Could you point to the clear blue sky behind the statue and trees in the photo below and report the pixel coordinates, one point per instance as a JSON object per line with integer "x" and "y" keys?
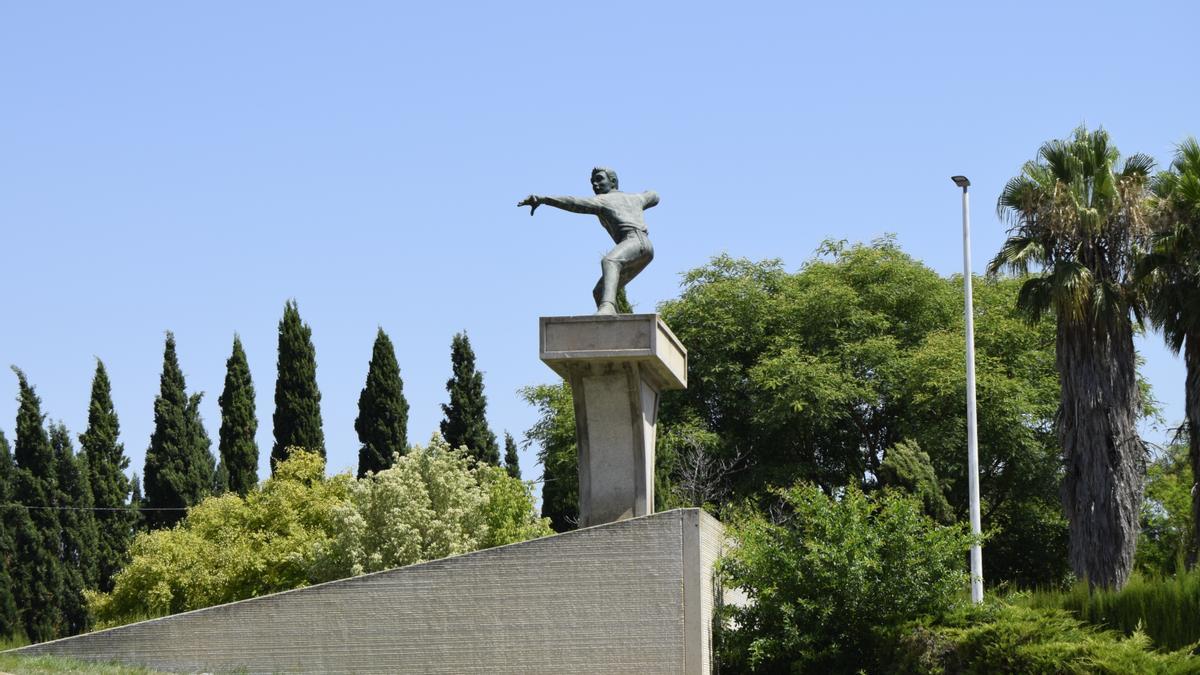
{"x": 191, "y": 166}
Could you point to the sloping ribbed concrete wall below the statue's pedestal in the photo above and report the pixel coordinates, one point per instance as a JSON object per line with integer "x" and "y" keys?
{"x": 634, "y": 596}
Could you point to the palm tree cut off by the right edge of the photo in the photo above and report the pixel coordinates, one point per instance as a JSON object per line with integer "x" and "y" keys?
{"x": 1172, "y": 277}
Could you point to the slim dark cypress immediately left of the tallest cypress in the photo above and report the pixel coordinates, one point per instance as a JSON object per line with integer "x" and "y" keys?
{"x": 239, "y": 451}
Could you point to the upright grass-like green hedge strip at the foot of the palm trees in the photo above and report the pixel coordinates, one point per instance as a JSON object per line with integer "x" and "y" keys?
{"x": 1167, "y": 610}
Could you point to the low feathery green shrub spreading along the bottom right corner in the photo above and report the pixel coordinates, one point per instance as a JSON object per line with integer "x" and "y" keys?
{"x": 1001, "y": 638}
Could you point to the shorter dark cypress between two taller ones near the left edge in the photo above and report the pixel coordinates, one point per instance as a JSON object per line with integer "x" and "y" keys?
{"x": 77, "y": 548}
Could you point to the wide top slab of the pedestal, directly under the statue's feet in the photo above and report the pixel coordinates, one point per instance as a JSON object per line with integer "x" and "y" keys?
{"x": 641, "y": 338}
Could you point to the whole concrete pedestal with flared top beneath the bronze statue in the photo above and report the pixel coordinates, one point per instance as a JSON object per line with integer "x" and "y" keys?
{"x": 617, "y": 367}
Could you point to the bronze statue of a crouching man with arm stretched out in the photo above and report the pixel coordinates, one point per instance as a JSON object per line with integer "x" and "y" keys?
{"x": 621, "y": 214}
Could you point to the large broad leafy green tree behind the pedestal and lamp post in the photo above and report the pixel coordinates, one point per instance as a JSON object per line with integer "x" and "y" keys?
{"x": 815, "y": 375}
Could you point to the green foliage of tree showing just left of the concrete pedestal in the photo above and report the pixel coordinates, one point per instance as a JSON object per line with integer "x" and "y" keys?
{"x": 555, "y": 435}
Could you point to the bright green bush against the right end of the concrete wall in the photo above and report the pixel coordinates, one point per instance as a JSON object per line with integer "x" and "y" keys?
{"x": 829, "y": 578}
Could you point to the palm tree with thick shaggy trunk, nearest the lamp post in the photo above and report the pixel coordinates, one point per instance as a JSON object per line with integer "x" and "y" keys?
{"x": 1077, "y": 222}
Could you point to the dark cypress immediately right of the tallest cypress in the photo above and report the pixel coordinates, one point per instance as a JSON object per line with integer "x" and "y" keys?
{"x": 383, "y": 413}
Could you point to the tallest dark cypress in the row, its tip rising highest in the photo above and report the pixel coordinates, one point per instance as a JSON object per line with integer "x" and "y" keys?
{"x": 297, "y": 417}
